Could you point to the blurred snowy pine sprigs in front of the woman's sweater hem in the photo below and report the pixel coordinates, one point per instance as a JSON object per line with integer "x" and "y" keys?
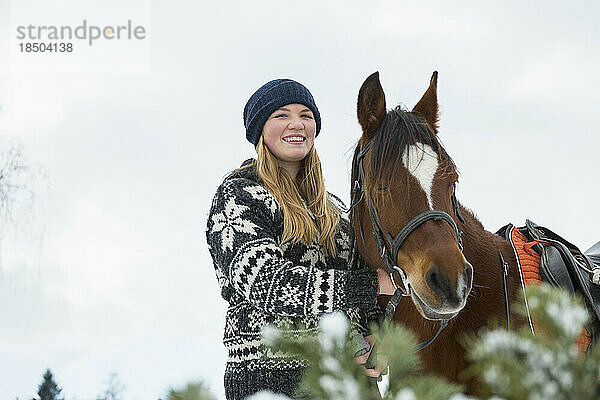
{"x": 333, "y": 375}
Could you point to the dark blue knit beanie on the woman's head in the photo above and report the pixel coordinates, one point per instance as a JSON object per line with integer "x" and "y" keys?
{"x": 270, "y": 97}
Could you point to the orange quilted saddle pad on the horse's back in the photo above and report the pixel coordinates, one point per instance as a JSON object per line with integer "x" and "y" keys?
{"x": 529, "y": 261}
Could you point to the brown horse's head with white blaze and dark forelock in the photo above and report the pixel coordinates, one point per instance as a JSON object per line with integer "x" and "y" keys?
{"x": 405, "y": 173}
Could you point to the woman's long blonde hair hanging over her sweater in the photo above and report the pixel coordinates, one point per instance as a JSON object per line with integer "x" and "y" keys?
{"x": 297, "y": 223}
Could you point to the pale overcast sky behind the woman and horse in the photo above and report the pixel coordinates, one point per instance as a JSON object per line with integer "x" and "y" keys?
{"x": 111, "y": 272}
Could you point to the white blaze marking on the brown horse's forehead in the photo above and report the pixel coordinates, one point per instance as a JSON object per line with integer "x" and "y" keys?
{"x": 422, "y": 162}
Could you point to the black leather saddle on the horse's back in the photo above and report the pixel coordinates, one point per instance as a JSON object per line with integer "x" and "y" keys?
{"x": 561, "y": 264}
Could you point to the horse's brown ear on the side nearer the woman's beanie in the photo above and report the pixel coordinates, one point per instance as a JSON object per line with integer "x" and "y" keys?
{"x": 371, "y": 106}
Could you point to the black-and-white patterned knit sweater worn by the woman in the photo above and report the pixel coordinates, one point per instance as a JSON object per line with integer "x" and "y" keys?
{"x": 288, "y": 285}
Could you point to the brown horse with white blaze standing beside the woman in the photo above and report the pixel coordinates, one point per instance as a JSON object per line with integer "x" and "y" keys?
{"x": 405, "y": 216}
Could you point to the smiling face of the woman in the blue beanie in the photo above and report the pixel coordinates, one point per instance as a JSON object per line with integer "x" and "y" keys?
{"x": 289, "y": 133}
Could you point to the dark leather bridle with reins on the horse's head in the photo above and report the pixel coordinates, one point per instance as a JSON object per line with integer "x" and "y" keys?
{"x": 381, "y": 237}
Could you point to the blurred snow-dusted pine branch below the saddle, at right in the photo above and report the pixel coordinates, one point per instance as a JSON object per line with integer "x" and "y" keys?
{"x": 547, "y": 365}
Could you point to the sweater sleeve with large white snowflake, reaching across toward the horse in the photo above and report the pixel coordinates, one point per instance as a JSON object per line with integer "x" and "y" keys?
{"x": 249, "y": 261}
